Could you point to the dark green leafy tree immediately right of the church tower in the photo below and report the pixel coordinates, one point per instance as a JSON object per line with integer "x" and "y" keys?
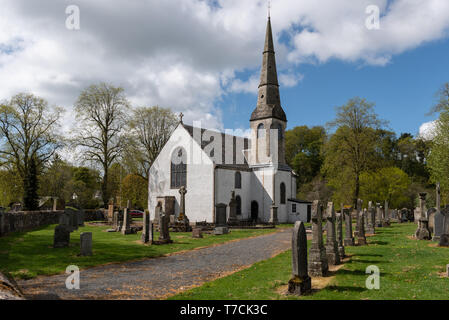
{"x": 303, "y": 151}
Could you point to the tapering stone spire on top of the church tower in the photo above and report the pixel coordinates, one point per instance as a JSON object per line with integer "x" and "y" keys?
{"x": 269, "y": 102}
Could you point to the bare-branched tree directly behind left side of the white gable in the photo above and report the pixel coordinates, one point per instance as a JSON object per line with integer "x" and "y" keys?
{"x": 150, "y": 129}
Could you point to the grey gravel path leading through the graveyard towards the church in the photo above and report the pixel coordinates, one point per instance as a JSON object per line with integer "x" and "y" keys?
{"x": 161, "y": 277}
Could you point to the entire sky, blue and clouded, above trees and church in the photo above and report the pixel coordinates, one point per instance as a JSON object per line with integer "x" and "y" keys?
{"x": 202, "y": 57}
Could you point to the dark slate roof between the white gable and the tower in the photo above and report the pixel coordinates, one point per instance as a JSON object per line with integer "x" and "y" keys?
{"x": 243, "y": 144}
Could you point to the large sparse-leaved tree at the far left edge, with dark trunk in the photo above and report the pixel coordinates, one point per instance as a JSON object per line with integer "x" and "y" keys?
{"x": 28, "y": 137}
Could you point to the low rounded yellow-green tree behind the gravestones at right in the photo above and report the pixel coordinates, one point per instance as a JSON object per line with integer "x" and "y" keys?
{"x": 389, "y": 183}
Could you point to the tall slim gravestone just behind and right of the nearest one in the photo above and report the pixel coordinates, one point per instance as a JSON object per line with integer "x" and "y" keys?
{"x": 318, "y": 266}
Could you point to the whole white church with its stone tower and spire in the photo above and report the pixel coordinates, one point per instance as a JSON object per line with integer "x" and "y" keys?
{"x": 212, "y": 166}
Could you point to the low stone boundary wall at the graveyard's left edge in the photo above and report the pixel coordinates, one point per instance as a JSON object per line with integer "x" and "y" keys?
{"x": 26, "y": 220}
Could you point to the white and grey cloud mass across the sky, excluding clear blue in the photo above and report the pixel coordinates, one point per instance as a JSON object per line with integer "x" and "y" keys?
{"x": 185, "y": 54}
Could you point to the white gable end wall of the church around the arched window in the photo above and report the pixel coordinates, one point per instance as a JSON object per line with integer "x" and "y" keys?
{"x": 199, "y": 197}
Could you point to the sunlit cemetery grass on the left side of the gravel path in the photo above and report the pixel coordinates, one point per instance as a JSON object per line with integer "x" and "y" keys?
{"x": 26, "y": 255}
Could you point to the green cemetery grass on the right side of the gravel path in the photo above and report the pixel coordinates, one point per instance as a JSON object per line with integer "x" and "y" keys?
{"x": 410, "y": 269}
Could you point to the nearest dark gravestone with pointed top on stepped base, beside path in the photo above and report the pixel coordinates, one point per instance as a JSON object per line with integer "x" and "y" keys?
{"x": 300, "y": 283}
